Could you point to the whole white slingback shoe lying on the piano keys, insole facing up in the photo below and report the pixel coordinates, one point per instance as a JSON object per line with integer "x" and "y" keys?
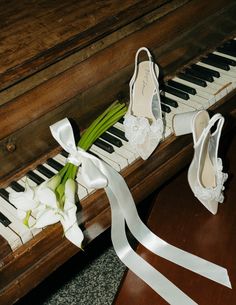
{"x": 143, "y": 120}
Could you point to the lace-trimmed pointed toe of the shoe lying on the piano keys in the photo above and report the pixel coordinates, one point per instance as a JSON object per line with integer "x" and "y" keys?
{"x": 141, "y": 135}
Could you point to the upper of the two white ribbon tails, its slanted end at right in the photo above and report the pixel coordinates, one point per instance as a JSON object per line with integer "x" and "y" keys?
{"x": 157, "y": 245}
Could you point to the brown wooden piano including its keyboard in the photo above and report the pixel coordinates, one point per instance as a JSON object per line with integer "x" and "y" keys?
{"x": 72, "y": 59}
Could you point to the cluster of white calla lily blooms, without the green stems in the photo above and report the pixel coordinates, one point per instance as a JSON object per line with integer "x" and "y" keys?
{"x": 43, "y": 201}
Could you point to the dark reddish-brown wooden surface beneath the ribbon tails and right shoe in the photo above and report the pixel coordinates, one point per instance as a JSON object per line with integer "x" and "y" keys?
{"x": 181, "y": 220}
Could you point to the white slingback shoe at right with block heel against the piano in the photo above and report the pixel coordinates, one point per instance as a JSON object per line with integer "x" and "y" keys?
{"x": 205, "y": 175}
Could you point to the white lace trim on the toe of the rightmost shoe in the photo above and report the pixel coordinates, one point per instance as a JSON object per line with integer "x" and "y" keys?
{"x": 213, "y": 193}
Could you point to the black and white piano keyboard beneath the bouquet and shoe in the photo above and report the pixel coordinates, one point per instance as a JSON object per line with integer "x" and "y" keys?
{"x": 198, "y": 87}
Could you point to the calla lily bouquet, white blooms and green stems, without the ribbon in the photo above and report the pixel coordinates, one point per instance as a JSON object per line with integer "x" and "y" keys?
{"x": 55, "y": 200}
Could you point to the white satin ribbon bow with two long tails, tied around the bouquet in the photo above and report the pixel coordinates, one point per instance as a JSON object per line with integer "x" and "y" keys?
{"x": 98, "y": 174}
